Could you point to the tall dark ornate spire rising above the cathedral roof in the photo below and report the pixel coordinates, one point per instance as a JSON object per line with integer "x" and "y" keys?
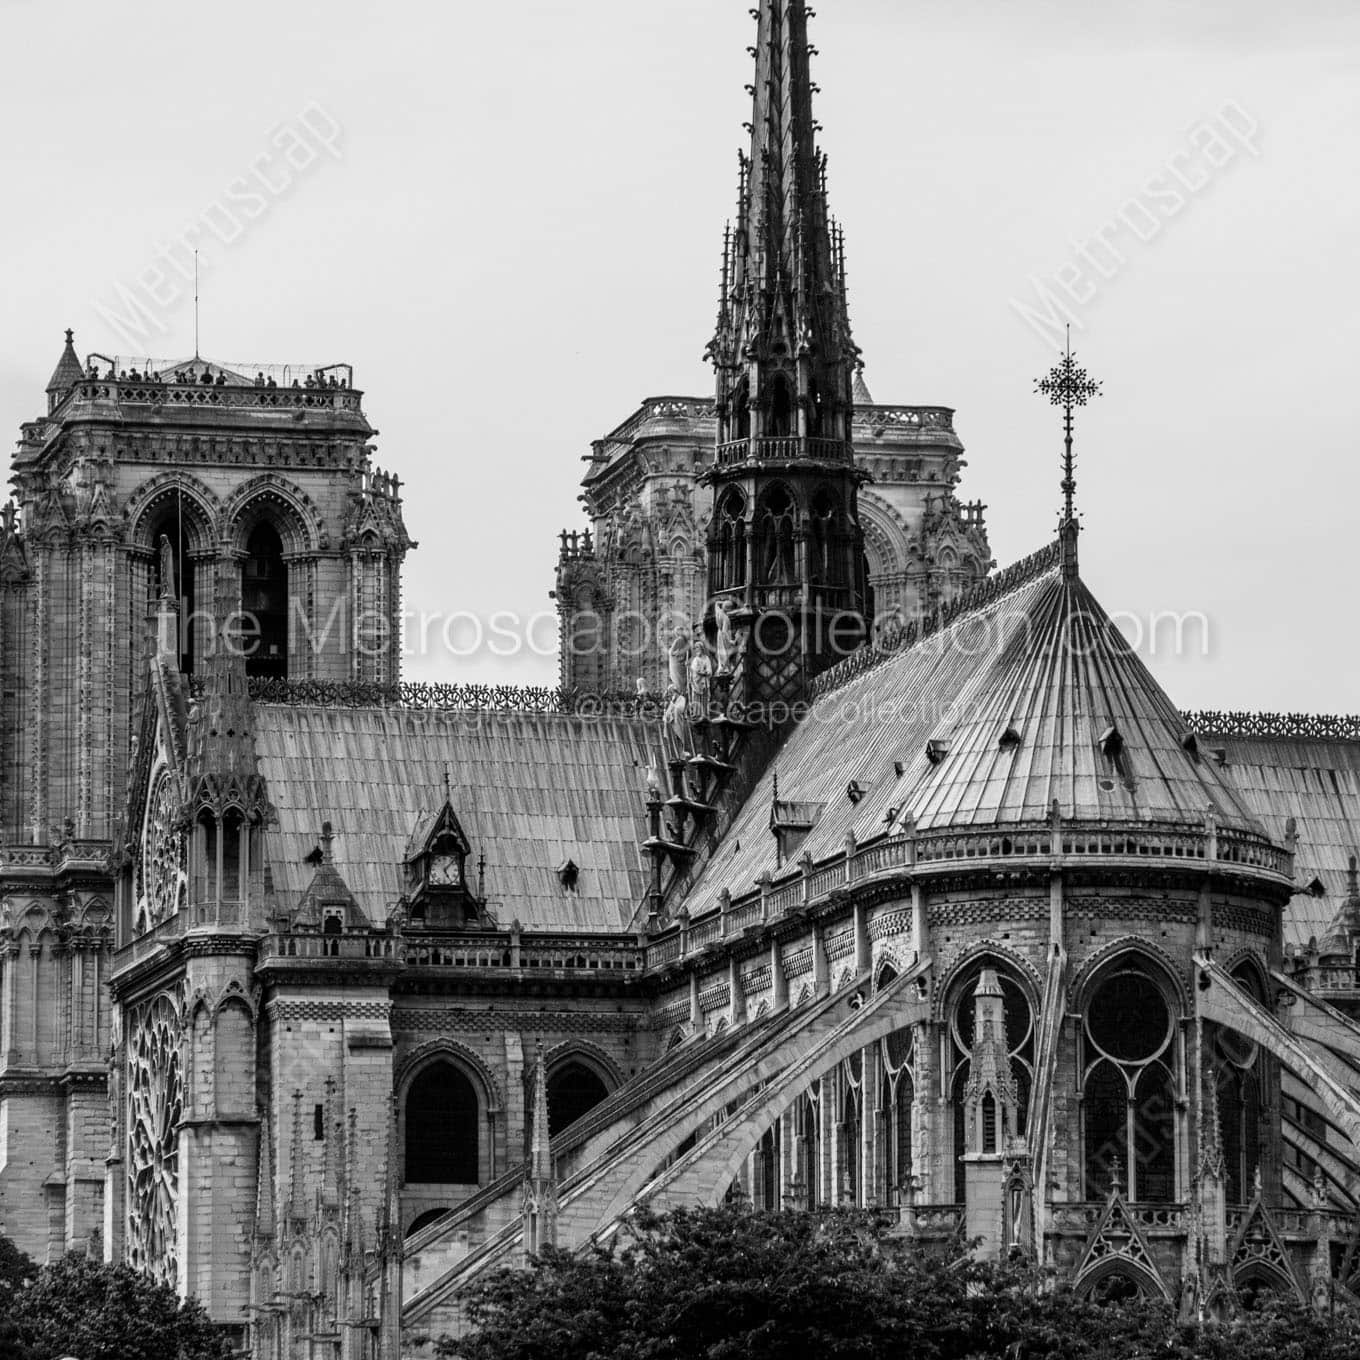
{"x": 785, "y": 547}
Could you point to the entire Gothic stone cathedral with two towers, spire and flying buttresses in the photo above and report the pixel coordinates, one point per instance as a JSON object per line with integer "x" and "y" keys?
{"x": 843, "y": 868}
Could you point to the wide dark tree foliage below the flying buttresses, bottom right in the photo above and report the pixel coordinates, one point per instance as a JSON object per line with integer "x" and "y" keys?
{"x": 720, "y": 1285}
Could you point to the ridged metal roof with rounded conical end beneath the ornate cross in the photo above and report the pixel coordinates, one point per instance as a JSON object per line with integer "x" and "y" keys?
{"x": 987, "y": 723}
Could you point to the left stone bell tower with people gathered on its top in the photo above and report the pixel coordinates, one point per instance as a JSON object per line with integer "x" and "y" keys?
{"x": 221, "y": 488}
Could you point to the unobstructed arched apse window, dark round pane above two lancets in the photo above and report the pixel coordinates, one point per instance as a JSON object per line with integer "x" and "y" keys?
{"x": 1128, "y": 1097}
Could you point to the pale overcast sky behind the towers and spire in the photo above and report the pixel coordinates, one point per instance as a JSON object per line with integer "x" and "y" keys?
{"x": 508, "y": 220}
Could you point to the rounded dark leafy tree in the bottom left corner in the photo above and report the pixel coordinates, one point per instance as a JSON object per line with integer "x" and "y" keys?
{"x": 82, "y": 1308}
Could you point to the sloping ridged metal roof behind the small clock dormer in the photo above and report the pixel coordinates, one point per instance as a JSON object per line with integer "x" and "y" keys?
{"x": 531, "y": 792}
